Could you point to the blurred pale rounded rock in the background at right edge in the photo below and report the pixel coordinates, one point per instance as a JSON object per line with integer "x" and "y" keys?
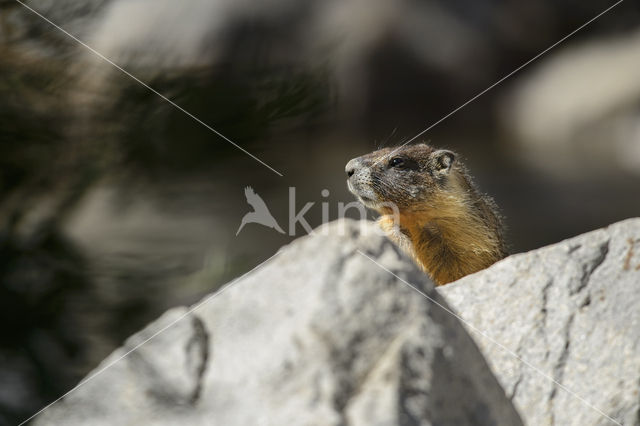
{"x": 578, "y": 114}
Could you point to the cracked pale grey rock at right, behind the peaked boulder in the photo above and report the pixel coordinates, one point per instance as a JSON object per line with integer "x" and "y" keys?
{"x": 571, "y": 311}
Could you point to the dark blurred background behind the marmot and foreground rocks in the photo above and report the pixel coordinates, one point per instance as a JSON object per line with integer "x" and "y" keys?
{"x": 115, "y": 206}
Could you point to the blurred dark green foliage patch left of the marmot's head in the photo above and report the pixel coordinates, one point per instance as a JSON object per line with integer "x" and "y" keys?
{"x": 243, "y": 104}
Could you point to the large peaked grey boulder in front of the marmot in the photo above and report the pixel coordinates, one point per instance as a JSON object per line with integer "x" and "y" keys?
{"x": 321, "y": 334}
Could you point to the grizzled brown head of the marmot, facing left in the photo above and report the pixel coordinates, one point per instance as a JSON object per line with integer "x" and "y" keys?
{"x": 407, "y": 177}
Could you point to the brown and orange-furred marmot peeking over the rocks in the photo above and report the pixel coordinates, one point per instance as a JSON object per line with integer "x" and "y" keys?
{"x": 448, "y": 226}
